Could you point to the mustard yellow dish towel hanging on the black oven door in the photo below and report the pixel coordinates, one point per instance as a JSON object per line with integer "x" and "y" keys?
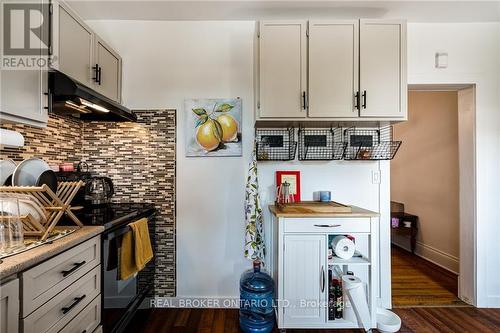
{"x": 136, "y": 249}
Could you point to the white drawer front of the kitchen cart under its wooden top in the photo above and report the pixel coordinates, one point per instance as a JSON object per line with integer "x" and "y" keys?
{"x": 327, "y": 225}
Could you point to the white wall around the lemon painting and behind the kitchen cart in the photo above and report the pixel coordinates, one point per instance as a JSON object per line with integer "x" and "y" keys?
{"x": 166, "y": 62}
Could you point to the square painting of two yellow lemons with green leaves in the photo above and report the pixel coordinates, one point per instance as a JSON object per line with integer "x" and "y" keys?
{"x": 213, "y": 127}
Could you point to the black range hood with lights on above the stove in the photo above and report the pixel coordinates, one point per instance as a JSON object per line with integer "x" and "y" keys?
{"x": 69, "y": 96}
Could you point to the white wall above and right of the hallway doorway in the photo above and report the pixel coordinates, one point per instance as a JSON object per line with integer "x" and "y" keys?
{"x": 474, "y": 57}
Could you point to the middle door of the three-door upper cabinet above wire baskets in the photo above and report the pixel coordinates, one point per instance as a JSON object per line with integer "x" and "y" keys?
{"x": 333, "y": 69}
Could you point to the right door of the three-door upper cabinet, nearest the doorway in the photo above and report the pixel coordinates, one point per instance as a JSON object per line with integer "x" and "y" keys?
{"x": 383, "y": 84}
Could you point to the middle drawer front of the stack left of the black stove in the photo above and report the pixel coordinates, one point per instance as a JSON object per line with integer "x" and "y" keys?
{"x": 57, "y": 312}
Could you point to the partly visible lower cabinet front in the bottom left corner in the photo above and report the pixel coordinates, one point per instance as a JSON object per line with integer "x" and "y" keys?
{"x": 9, "y": 307}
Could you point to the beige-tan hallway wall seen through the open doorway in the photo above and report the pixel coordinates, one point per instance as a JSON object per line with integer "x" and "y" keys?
{"x": 425, "y": 175}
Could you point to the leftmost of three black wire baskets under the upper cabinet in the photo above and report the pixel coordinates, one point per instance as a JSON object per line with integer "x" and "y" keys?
{"x": 275, "y": 144}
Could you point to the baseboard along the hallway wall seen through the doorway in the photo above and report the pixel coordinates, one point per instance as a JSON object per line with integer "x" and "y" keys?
{"x": 429, "y": 253}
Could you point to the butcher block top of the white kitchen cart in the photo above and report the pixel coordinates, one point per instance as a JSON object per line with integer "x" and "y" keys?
{"x": 316, "y": 209}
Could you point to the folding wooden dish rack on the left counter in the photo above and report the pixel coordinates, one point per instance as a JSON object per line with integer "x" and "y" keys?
{"x": 55, "y": 206}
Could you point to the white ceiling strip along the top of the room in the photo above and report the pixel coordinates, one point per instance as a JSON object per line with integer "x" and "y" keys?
{"x": 413, "y": 11}
